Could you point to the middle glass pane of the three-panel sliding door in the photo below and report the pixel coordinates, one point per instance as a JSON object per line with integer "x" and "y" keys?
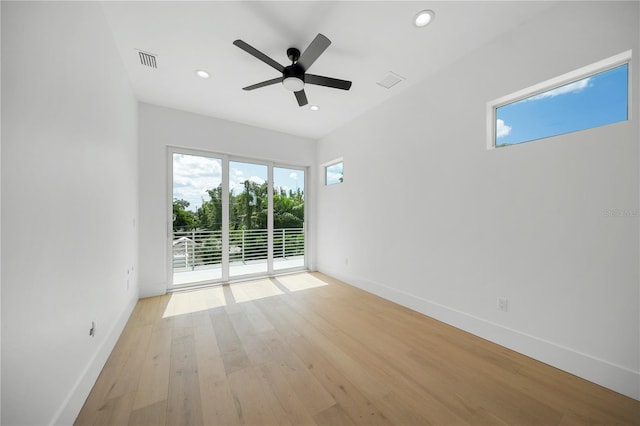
{"x": 248, "y": 208}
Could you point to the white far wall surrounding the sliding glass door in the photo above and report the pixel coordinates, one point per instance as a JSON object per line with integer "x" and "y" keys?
{"x": 163, "y": 127}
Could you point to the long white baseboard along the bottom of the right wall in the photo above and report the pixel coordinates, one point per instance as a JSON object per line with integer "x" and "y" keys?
{"x": 601, "y": 372}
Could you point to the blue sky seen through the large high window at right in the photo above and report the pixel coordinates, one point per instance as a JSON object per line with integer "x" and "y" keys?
{"x": 591, "y": 102}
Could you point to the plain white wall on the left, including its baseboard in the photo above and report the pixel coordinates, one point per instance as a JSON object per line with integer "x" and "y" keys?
{"x": 69, "y": 202}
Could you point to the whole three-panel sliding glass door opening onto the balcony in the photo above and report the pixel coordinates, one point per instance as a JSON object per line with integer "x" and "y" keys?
{"x": 233, "y": 218}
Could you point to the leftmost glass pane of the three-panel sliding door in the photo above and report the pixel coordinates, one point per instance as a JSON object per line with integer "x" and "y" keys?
{"x": 197, "y": 219}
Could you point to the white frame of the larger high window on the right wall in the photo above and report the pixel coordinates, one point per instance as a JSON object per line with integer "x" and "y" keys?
{"x": 553, "y": 83}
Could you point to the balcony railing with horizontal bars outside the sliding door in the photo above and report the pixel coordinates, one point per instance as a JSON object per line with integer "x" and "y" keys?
{"x": 196, "y": 248}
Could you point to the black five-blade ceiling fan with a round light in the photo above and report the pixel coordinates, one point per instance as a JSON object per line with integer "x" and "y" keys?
{"x": 295, "y": 76}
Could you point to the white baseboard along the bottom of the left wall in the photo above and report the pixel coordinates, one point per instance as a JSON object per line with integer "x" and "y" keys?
{"x": 80, "y": 391}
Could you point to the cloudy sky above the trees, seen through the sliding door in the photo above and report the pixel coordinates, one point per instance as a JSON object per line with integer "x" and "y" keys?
{"x": 193, "y": 175}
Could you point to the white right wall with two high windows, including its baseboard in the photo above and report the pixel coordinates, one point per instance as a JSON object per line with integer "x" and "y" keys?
{"x": 428, "y": 217}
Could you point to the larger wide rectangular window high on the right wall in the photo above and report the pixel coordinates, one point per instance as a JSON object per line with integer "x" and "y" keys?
{"x": 593, "y": 96}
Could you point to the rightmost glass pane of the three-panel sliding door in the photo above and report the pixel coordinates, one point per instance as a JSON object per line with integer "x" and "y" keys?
{"x": 288, "y": 218}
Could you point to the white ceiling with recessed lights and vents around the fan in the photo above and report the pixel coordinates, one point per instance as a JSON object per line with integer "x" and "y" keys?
{"x": 369, "y": 39}
